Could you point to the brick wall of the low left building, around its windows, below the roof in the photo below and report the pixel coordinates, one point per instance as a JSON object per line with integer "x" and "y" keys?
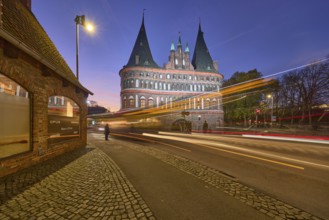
{"x": 27, "y": 73}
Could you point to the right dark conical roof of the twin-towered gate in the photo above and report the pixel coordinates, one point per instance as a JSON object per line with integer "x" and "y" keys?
{"x": 202, "y": 60}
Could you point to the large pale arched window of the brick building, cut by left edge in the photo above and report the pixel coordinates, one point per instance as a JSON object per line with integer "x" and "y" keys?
{"x": 14, "y": 118}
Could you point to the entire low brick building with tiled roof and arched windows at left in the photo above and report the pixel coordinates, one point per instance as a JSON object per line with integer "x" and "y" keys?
{"x": 43, "y": 105}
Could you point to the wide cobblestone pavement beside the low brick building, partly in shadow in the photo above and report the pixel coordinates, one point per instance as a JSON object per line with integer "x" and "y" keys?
{"x": 89, "y": 187}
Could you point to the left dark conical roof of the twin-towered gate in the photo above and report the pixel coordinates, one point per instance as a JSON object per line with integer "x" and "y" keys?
{"x": 141, "y": 54}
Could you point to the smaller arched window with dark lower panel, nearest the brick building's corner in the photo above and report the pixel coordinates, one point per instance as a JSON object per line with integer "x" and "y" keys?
{"x": 63, "y": 119}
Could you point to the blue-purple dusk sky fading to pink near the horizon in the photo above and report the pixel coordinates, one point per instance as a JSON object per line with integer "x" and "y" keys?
{"x": 269, "y": 35}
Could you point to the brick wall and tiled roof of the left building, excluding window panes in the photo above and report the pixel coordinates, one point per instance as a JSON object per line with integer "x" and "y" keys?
{"x": 32, "y": 61}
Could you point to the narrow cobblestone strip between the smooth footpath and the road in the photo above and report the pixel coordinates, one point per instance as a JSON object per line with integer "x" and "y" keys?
{"x": 261, "y": 202}
